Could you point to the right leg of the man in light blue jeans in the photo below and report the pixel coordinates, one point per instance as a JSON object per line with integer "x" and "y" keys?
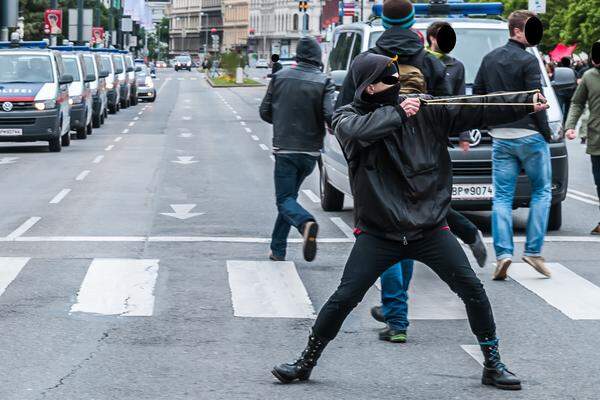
{"x": 534, "y": 155}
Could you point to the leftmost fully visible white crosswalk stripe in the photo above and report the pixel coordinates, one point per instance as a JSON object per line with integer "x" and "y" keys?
{"x": 118, "y": 286}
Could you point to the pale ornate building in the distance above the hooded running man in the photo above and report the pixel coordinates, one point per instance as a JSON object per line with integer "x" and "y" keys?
{"x": 277, "y": 25}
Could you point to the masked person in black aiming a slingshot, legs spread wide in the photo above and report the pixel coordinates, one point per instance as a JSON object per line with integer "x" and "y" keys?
{"x": 400, "y": 176}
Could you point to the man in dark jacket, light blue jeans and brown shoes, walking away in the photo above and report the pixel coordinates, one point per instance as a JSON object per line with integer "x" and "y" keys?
{"x": 518, "y": 145}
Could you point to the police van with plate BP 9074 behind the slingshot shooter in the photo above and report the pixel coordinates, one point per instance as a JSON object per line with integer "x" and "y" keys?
{"x": 476, "y": 36}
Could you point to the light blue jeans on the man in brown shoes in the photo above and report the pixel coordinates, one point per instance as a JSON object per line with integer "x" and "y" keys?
{"x": 509, "y": 157}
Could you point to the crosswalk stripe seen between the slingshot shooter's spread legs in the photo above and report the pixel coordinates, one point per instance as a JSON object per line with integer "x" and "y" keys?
{"x": 429, "y": 298}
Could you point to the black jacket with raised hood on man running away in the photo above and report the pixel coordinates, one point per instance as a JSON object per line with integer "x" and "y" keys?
{"x": 299, "y": 101}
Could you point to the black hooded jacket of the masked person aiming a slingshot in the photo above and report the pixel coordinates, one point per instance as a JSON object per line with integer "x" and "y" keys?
{"x": 400, "y": 170}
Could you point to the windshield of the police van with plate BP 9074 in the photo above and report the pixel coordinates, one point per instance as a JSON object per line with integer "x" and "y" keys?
{"x": 471, "y": 46}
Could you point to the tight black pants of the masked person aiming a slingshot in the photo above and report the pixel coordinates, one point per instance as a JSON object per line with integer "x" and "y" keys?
{"x": 371, "y": 256}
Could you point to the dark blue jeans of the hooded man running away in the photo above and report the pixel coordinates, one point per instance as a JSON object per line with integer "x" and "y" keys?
{"x": 290, "y": 172}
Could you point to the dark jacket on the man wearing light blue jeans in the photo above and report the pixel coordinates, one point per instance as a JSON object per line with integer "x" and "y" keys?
{"x": 512, "y": 68}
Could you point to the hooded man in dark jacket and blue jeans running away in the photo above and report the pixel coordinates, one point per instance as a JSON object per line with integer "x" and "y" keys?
{"x": 298, "y": 102}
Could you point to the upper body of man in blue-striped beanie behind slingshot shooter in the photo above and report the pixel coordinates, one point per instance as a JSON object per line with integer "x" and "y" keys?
{"x": 399, "y": 40}
